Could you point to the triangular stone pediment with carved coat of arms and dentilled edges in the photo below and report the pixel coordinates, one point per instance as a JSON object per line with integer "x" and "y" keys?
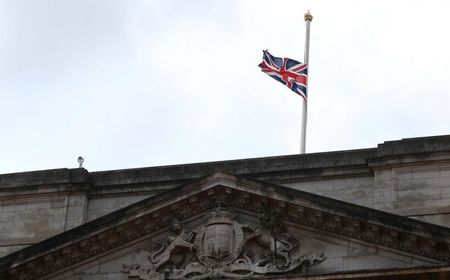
{"x": 223, "y": 226}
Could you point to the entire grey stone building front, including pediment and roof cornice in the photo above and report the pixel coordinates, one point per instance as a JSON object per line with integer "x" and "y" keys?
{"x": 379, "y": 213}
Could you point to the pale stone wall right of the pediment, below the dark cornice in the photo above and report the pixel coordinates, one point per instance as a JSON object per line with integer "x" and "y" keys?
{"x": 421, "y": 192}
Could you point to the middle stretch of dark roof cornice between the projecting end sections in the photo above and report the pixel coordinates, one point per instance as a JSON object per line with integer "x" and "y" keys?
{"x": 314, "y": 164}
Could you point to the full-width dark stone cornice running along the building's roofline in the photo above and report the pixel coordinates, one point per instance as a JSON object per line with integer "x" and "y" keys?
{"x": 278, "y": 169}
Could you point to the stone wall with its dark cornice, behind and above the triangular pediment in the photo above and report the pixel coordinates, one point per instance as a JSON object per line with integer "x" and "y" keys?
{"x": 410, "y": 177}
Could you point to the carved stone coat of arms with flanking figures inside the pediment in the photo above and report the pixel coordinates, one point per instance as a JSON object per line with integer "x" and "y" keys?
{"x": 223, "y": 248}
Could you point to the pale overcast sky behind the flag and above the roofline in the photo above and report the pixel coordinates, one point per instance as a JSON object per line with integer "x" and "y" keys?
{"x": 144, "y": 83}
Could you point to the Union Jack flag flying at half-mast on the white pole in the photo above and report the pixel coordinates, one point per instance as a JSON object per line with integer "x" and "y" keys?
{"x": 287, "y": 71}
